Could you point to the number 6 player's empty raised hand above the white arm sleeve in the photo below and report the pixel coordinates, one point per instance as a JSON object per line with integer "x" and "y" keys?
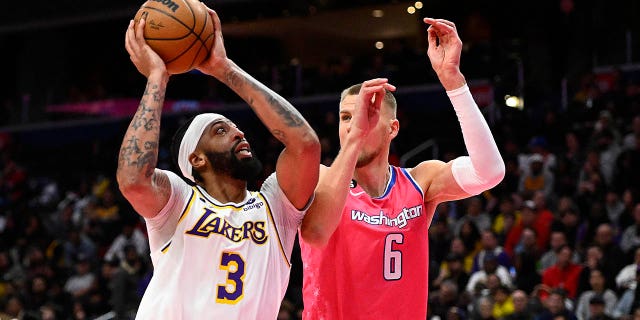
{"x": 445, "y": 48}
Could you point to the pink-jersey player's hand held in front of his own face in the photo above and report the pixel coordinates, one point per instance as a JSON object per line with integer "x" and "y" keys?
{"x": 368, "y": 103}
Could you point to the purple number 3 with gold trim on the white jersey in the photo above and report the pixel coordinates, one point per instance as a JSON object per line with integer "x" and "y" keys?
{"x": 232, "y": 291}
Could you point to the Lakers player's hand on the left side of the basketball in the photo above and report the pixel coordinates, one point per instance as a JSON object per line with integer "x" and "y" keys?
{"x": 143, "y": 57}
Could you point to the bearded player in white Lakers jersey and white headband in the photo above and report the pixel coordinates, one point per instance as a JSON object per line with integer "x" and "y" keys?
{"x": 218, "y": 250}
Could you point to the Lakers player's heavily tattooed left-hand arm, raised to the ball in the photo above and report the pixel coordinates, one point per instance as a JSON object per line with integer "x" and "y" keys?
{"x": 146, "y": 188}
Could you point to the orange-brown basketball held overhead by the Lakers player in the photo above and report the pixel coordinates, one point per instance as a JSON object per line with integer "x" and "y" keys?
{"x": 180, "y": 31}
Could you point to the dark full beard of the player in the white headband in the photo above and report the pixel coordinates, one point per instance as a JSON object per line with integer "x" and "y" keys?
{"x": 247, "y": 169}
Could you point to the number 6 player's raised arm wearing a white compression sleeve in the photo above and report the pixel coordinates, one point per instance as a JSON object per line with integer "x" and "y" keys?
{"x": 484, "y": 167}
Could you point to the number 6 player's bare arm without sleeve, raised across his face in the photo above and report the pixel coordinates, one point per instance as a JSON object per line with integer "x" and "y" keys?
{"x": 358, "y": 116}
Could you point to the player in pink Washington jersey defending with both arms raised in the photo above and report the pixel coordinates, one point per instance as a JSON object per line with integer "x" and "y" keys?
{"x": 365, "y": 237}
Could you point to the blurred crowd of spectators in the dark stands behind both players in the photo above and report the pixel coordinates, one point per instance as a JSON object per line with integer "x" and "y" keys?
{"x": 558, "y": 238}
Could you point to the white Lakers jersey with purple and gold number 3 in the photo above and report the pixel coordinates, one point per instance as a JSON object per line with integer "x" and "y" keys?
{"x": 217, "y": 260}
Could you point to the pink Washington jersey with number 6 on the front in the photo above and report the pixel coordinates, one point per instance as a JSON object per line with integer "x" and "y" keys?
{"x": 375, "y": 265}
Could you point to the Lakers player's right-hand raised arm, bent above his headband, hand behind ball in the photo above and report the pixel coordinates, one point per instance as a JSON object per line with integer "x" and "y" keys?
{"x": 297, "y": 166}
